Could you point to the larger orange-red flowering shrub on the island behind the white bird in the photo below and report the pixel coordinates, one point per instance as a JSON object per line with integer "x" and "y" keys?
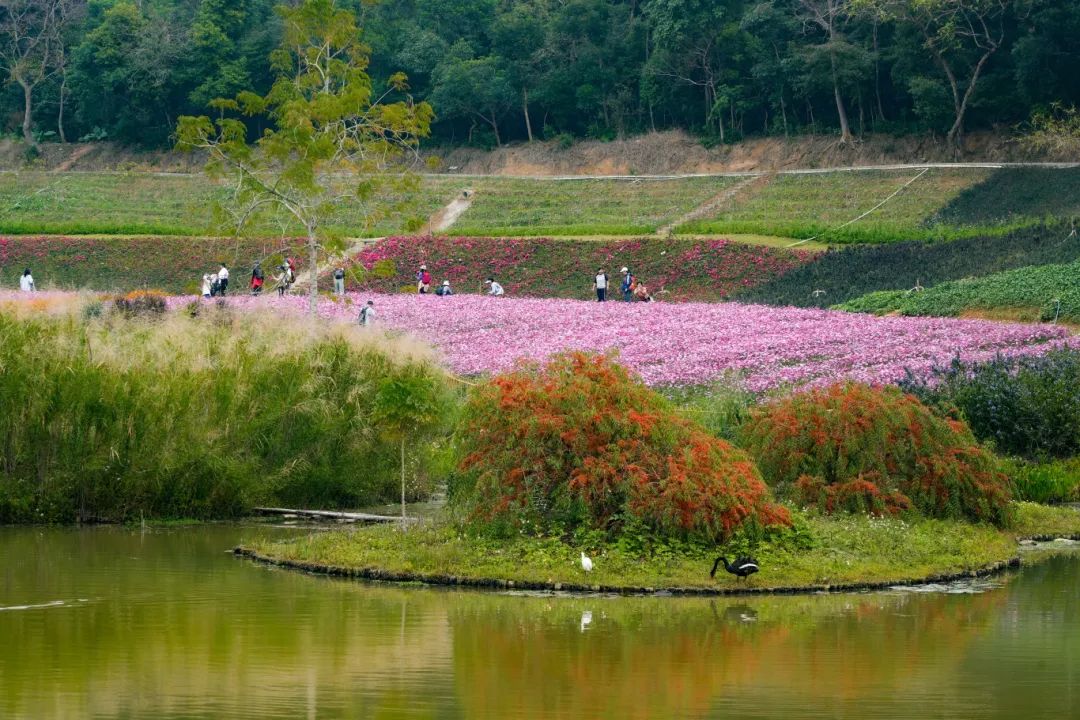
{"x": 580, "y": 443}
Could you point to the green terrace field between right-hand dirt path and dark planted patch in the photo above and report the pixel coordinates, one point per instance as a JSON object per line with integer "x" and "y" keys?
{"x": 806, "y": 206}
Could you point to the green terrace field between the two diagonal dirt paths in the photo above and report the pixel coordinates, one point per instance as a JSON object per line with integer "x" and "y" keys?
{"x": 597, "y": 207}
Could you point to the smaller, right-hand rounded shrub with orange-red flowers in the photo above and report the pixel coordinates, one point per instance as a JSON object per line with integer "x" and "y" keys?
{"x": 853, "y": 447}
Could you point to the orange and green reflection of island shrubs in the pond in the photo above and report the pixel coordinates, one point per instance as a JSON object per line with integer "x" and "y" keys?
{"x": 665, "y": 658}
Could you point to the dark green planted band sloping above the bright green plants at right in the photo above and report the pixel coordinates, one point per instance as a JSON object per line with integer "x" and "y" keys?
{"x": 839, "y": 277}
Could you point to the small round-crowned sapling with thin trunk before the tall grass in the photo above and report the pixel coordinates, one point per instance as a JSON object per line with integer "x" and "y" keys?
{"x": 410, "y": 404}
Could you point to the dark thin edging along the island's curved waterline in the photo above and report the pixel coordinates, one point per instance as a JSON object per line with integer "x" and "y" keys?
{"x": 455, "y": 581}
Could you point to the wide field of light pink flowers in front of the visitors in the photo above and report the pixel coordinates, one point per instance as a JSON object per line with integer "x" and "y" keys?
{"x": 684, "y": 344}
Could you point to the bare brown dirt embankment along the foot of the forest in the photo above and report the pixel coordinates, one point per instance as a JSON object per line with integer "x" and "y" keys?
{"x": 671, "y": 153}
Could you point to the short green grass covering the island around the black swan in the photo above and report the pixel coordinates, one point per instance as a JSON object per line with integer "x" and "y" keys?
{"x": 826, "y": 551}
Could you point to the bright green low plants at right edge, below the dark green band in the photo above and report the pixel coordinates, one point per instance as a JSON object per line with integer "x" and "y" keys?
{"x": 1039, "y": 293}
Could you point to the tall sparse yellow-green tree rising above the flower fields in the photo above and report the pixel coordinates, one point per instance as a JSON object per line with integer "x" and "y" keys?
{"x": 330, "y": 127}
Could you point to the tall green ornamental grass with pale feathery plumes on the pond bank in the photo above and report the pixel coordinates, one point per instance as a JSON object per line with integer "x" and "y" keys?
{"x": 112, "y": 418}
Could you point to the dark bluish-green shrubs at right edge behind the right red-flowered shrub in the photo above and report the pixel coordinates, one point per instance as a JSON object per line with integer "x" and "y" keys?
{"x": 1024, "y": 406}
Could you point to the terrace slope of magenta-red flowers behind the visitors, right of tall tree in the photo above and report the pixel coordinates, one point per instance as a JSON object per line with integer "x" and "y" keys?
{"x": 677, "y": 269}
